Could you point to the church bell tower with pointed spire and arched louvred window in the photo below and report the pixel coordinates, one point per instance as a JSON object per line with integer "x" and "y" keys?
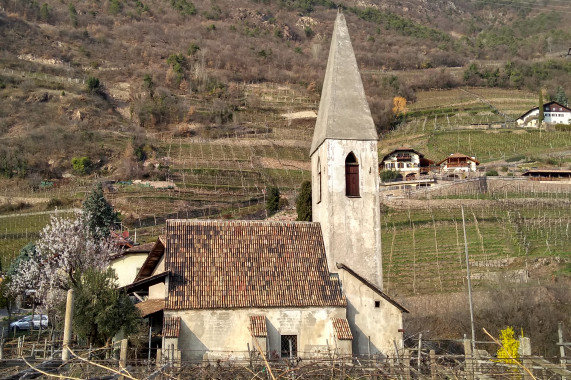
{"x": 344, "y": 159}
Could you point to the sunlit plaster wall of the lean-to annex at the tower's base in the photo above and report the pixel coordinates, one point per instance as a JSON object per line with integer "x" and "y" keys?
{"x": 380, "y": 323}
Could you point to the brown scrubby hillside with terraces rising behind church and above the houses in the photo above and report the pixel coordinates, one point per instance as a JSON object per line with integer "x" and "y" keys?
{"x": 219, "y": 97}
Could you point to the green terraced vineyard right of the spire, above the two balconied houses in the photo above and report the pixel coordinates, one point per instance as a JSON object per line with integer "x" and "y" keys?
{"x": 477, "y": 122}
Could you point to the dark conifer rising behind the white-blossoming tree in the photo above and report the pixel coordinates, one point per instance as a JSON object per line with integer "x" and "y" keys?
{"x": 100, "y": 214}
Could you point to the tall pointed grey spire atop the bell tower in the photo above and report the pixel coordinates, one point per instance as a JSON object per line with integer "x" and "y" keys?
{"x": 344, "y": 112}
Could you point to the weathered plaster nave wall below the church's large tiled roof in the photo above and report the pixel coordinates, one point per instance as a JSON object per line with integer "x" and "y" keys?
{"x": 225, "y": 333}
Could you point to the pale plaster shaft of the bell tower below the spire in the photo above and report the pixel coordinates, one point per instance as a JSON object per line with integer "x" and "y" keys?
{"x": 350, "y": 226}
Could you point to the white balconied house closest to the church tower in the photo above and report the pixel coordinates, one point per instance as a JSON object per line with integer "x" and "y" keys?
{"x": 409, "y": 162}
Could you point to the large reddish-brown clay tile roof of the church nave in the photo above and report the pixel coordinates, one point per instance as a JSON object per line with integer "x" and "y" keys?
{"x": 236, "y": 264}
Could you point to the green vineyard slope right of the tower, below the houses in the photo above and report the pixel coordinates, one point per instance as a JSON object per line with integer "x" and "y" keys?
{"x": 423, "y": 249}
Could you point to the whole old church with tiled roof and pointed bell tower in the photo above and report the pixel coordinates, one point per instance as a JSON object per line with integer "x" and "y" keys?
{"x": 224, "y": 289}
